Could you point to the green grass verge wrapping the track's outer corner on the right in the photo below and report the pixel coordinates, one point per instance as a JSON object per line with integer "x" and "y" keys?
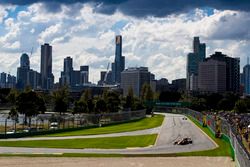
{"x": 222, "y": 150}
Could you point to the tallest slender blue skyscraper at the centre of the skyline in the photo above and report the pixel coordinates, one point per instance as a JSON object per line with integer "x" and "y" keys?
{"x": 119, "y": 63}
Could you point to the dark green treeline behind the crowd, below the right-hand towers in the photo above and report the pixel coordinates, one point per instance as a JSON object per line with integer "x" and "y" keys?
{"x": 209, "y": 102}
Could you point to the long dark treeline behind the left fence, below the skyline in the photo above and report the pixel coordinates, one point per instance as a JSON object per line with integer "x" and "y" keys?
{"x": 31, "y": 103}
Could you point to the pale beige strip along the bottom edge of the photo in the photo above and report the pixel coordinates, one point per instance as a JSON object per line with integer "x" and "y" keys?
{"x": 118, "y": 162}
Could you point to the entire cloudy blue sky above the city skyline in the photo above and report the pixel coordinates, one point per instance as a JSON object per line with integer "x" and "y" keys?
{"x": 157, "y": 34}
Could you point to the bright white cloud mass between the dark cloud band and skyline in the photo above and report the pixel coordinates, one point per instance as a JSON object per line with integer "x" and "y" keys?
{"x": 159, "y": 43}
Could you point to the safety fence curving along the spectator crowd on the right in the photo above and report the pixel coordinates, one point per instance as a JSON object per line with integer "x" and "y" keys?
{"x": 229, "y": 131}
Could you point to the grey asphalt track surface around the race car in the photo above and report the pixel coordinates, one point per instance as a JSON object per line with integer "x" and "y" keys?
{"x": 172, "y": 129}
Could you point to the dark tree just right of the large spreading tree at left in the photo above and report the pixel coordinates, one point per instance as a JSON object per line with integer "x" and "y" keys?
{"x": 61, "y": 99}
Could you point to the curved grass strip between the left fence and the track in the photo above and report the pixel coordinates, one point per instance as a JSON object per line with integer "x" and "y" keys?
{"x": 145, "y": 123}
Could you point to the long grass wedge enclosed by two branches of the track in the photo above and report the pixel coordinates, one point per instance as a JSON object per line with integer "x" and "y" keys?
{"x": 102, "y": 143}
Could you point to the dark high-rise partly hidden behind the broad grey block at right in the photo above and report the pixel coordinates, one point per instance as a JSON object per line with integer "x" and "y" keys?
{"x": 232, "y": 71}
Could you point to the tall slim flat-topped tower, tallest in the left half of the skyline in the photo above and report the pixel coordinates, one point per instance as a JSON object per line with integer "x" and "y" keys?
{"x": 47, "y": 78}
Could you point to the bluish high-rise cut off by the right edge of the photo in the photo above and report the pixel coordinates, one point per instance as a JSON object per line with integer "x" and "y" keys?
{"x": 246, "y": 78}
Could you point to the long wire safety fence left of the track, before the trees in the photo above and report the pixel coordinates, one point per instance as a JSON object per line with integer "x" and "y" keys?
{"x": 56, "y": 122}
